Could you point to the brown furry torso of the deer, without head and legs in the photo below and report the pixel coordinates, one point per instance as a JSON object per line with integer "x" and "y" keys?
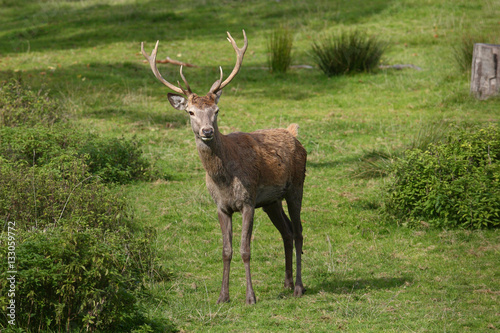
{"x": 264, "y": 163}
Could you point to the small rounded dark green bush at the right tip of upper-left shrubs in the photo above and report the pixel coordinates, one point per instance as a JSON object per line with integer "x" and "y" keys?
{"x": 116, "y": 160}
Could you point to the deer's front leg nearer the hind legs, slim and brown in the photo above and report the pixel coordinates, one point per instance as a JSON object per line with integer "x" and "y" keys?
{"x": 246, "y": 236}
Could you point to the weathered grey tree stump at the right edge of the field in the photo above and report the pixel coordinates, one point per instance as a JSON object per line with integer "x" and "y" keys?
{"x": 485, "y": 76}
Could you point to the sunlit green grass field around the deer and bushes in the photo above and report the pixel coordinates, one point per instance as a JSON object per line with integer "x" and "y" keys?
{"x": 362, "y": 274}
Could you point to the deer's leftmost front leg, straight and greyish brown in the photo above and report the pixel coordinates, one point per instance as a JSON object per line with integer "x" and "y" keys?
{"x": 226, "y": 226}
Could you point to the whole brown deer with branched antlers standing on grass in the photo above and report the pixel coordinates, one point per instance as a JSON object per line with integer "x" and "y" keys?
{"x": 245, "y": 171}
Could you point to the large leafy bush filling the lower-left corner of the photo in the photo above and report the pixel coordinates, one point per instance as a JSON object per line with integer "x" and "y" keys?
{"x": 80, "y": 264}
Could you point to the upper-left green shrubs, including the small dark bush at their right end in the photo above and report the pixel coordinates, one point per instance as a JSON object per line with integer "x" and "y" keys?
{"x": 25, "y": 136}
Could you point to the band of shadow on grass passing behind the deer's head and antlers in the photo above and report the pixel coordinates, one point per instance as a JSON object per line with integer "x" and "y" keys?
{"x": 106, "y": 83}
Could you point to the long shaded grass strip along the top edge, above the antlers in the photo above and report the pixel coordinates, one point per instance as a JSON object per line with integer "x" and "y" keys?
{"x": 54, "y": 25}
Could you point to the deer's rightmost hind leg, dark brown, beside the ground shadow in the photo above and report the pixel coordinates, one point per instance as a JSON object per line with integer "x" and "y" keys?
{"x": 294, "y": 202}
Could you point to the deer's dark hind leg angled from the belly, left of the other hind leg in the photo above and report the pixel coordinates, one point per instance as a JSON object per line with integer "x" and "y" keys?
{"x": 284, "y": 226}
